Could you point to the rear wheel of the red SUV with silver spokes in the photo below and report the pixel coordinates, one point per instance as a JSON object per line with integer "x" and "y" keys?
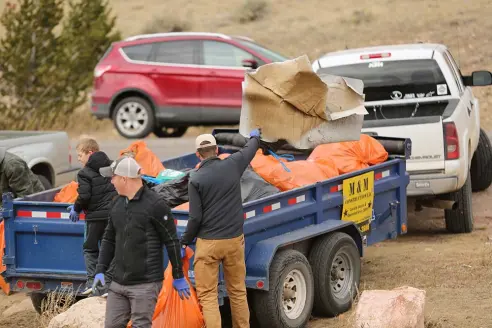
{"x": 133, "y": 117}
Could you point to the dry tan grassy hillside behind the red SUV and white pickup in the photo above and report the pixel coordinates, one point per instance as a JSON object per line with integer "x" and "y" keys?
{"x": 313, "y": 27}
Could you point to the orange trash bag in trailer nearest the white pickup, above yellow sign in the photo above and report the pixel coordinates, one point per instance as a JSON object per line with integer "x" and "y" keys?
{"x": 351, "y": 156}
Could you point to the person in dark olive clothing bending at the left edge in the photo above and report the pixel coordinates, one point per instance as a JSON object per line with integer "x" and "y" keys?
{"x": 16, "y": 177}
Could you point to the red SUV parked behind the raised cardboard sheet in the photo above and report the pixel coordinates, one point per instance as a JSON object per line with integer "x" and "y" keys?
{"x": 164, "y": 83}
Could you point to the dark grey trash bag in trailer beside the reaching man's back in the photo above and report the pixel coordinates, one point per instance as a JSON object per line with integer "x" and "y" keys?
{"x": 254, "y": 187}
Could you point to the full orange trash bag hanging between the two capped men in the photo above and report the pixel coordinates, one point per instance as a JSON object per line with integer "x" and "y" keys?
{"x": 171, "y": 310}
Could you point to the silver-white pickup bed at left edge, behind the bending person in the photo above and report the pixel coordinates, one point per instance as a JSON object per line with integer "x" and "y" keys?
{"x": 47, "y": 154}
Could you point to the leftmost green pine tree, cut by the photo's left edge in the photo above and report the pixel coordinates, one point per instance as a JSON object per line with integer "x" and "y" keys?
{"x": 28, "y": 55}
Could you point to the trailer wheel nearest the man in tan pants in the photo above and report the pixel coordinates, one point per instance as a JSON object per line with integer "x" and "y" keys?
{"x": 289, "y": 301}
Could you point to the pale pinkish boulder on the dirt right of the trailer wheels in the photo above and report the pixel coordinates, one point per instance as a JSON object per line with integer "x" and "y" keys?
{"x": 401, "y": 307}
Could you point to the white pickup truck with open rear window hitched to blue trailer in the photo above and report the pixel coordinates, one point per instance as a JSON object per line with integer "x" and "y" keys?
{"x": 417, "y": 91}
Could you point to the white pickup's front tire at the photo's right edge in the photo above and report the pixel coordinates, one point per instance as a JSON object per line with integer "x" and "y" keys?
{"x": 481, "y": 165}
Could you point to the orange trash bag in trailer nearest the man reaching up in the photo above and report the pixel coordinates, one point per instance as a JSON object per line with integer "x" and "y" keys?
{"x": 301, "y": 173}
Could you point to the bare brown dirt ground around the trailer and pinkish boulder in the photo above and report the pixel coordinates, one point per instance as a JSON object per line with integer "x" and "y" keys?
{"x": 454, "y": 270}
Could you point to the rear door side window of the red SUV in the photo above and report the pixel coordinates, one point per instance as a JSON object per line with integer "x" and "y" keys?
{"x": 176, "y": 52}
